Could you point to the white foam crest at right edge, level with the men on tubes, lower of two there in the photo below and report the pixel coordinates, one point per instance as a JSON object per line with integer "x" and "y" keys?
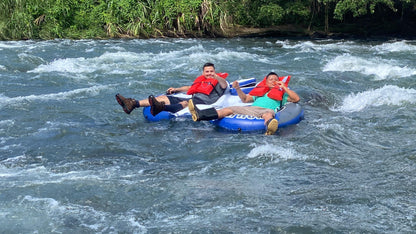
{"x": 388, "y": 95}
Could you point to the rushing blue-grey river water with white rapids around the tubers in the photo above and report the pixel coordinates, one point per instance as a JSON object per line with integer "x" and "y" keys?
{"x": 71, "y": 161}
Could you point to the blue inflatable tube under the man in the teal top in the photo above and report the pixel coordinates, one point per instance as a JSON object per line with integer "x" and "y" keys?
{"x": 291, "y": 113}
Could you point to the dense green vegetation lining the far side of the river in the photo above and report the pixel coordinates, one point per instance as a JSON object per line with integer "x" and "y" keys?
{"x": 47, "y": 19}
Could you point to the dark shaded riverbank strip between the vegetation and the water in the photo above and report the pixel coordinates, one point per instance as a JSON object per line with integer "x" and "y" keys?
{"x": 361, "y": 29}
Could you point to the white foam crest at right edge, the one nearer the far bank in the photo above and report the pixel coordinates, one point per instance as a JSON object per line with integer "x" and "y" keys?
{"x": 381, "y": 69}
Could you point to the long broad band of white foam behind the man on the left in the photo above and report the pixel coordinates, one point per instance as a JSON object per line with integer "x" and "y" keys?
{"x": 125, "y": 62}
